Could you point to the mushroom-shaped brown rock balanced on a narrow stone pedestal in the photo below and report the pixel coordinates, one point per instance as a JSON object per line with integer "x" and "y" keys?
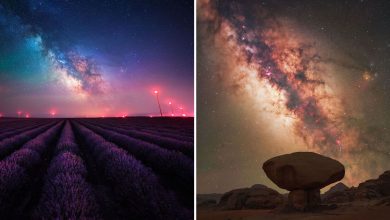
{"x": 304, "y": 174}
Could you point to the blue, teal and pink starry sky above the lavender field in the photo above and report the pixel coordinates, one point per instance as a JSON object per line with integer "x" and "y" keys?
{"x": 95, "y": 58}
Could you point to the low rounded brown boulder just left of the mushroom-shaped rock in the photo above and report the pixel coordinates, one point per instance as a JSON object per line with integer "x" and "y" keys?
{"x": 256, "y": 197}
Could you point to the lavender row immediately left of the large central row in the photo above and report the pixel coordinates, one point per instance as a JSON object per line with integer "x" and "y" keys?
{"x": 19, "y": 169}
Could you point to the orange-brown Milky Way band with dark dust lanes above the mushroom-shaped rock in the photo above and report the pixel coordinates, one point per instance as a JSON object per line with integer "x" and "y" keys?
{"x": 278, "y": 64}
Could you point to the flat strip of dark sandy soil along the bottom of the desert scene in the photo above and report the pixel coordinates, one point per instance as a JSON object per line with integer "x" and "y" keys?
{"x": 350, "y": 212}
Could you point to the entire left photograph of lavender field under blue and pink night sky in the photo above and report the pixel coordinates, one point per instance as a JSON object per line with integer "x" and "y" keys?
{"x": 96, "y": 109}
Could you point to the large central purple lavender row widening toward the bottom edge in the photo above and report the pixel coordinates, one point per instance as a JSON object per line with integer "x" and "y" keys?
{"x": 66, "y": 193}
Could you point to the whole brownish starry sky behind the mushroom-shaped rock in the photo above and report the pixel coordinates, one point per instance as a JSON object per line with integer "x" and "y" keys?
{"x": 278, "y": 76}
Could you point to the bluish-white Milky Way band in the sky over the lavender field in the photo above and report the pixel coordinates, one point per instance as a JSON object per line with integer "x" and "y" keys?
{"x": 79, "y": 73}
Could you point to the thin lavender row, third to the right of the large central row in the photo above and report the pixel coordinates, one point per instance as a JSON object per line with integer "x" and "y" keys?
{"x": 168, "y": 143}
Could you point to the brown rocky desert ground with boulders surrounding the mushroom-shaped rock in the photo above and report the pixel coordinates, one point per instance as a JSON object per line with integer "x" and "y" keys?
{"x": 370, "y": 200}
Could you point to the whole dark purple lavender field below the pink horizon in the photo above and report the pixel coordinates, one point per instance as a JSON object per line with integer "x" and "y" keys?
{"x": 112, "y": 168}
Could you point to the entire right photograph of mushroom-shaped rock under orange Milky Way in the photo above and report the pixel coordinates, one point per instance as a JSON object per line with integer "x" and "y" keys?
{"x": 293, "y": 102}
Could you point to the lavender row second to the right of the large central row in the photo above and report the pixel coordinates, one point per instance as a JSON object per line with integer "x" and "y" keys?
{"x": 168, "y": 164}
